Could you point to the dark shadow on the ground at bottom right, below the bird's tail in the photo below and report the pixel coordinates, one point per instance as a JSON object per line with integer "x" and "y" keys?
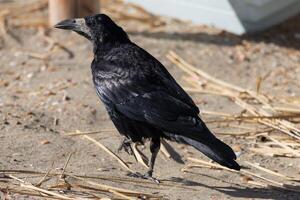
{"x": 242, "y": 191}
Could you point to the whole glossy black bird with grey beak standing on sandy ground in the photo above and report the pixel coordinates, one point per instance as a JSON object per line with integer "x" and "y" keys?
{"x": 141, "y": 97}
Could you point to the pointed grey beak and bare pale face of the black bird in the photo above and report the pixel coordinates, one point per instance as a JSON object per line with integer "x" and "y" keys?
{"x": 78, "y": 25}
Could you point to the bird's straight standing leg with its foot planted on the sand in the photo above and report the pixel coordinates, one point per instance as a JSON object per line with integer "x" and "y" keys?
{"x": 154, "y": 149}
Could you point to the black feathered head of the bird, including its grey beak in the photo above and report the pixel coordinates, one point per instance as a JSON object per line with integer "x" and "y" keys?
{"x": 99, "y": 29}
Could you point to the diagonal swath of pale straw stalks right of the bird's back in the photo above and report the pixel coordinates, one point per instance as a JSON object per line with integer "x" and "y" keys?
{"x": 262, "y": 110}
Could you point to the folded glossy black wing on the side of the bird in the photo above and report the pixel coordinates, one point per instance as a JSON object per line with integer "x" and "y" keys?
{"x": 150, "y": 95}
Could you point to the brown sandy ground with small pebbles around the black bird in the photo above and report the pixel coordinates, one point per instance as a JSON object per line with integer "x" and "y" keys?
{"x": 41, "y": 100}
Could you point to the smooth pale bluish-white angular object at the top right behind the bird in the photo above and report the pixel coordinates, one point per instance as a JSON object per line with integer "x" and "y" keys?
{"x": 237, "y": 16}
